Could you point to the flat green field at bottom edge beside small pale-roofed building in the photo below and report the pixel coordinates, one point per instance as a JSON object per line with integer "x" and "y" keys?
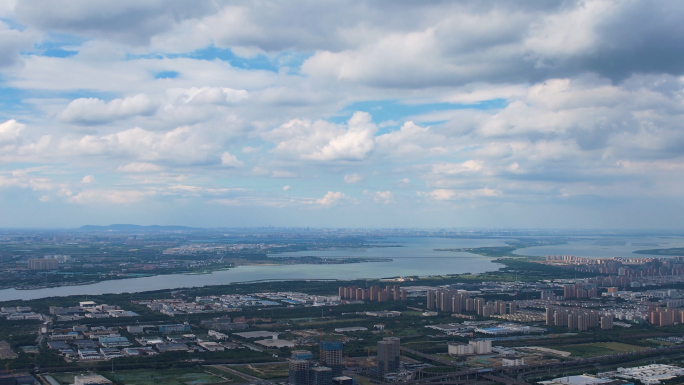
{"x": 169, "y": 376}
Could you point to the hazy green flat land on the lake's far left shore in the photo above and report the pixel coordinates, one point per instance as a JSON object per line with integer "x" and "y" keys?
{"x": 99, "y": 256}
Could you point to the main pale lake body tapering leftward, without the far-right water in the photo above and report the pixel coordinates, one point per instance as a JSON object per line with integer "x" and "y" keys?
{"x": 416, "y": 257}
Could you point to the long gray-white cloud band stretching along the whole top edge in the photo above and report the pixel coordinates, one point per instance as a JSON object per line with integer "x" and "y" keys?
{"x": 461, "y": 41}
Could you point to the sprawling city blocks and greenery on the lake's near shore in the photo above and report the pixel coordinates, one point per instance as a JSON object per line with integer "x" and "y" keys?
{"x": 613, "y": 321}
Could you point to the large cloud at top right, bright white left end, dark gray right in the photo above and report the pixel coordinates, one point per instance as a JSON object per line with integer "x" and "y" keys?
{"x": 487, "y": 42}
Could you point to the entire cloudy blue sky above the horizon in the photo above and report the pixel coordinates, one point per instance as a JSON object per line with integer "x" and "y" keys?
{"x": 439, "y": 114}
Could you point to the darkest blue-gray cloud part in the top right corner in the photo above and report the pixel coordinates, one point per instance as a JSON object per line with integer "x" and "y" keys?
{"x": 628, "y": 38}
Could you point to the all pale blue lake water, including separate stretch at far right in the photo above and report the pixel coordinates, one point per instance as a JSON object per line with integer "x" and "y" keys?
{"x": 416, "y": 256}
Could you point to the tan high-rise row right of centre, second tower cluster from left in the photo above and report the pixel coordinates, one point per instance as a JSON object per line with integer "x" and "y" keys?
{"x": 454, "y": 302}
